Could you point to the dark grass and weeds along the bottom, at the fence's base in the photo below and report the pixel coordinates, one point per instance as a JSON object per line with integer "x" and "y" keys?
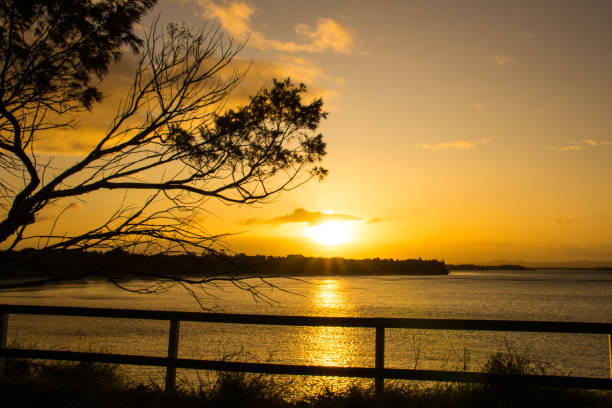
{"x": 57, "y": 384}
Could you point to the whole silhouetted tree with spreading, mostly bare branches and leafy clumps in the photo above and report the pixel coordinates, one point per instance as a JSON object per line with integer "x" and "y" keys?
{"x": 167, "y": 137}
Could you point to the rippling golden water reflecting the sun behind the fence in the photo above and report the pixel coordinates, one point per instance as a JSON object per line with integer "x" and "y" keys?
{"x": 553, "y": 295}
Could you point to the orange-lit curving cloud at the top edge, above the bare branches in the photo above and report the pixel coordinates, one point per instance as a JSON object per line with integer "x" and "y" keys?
{"x": 325, "y": 35}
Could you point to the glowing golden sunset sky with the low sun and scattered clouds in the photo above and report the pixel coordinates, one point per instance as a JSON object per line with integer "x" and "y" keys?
{"x": 468, "y": 131}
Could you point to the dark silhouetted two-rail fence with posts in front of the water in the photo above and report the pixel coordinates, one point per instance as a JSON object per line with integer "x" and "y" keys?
{"x": 379, "y": 372}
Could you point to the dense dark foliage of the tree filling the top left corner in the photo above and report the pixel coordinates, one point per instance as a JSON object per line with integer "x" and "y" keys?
{"x": 52, "y": 50}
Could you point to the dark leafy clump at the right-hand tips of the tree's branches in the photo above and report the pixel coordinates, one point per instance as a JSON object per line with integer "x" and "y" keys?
{"x": 273, "y": 132}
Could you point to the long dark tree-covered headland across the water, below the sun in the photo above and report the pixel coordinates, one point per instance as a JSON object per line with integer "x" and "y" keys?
{"x": 42, "y": 267}
